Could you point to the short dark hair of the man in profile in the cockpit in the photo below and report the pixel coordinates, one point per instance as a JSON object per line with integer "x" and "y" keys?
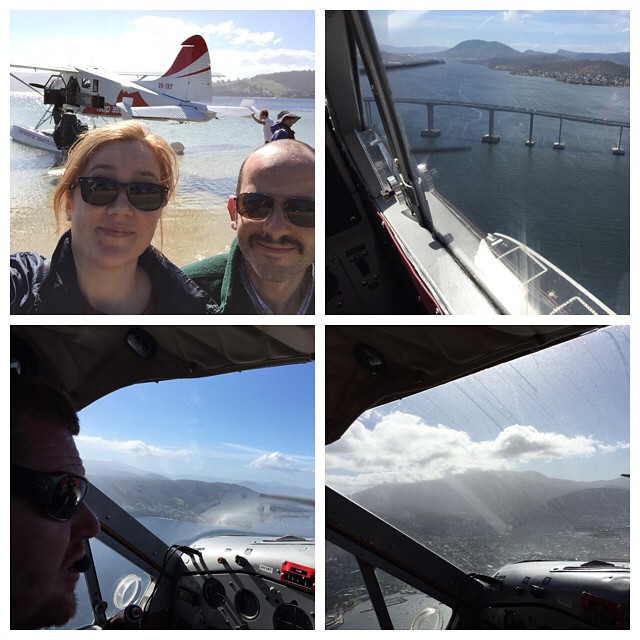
{"x": 32, "y": 399}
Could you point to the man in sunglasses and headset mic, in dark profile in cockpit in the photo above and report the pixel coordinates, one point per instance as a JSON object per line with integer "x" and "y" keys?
{"x": 49, "y": 519}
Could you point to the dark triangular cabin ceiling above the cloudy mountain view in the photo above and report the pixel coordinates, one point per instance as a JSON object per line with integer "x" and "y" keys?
{"x": 369, "y": 366}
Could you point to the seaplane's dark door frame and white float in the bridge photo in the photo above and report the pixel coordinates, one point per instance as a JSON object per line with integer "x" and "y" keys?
{"x": 395, "y": 244}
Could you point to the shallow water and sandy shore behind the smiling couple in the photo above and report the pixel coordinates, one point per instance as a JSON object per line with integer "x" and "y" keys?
{"x": 196, "y": 224}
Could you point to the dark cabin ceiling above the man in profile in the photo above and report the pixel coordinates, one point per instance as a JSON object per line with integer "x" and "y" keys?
{"x": 89, "y": 362}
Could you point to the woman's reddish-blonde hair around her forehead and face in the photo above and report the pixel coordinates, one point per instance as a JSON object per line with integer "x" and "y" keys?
{"x": 91, "y": 142}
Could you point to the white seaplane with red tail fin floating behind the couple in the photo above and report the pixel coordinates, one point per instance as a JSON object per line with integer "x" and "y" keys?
{"x": 183, "y": 94}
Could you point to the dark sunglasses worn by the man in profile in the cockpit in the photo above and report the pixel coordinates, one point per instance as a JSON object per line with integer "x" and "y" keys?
{"x": 60, "y": 494}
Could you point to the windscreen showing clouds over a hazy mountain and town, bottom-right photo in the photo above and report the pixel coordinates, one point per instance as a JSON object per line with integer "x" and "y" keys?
{"x": 523, "y": 461}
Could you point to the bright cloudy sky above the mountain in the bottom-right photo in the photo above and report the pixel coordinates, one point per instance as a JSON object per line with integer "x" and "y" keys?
{"x": 563, "y": 412}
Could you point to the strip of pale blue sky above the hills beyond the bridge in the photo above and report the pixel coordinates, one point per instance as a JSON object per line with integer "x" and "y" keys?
{"x": 581, "y": 31}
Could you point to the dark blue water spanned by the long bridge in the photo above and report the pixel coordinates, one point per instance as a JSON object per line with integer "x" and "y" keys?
{"x": 572, "y": 206}
